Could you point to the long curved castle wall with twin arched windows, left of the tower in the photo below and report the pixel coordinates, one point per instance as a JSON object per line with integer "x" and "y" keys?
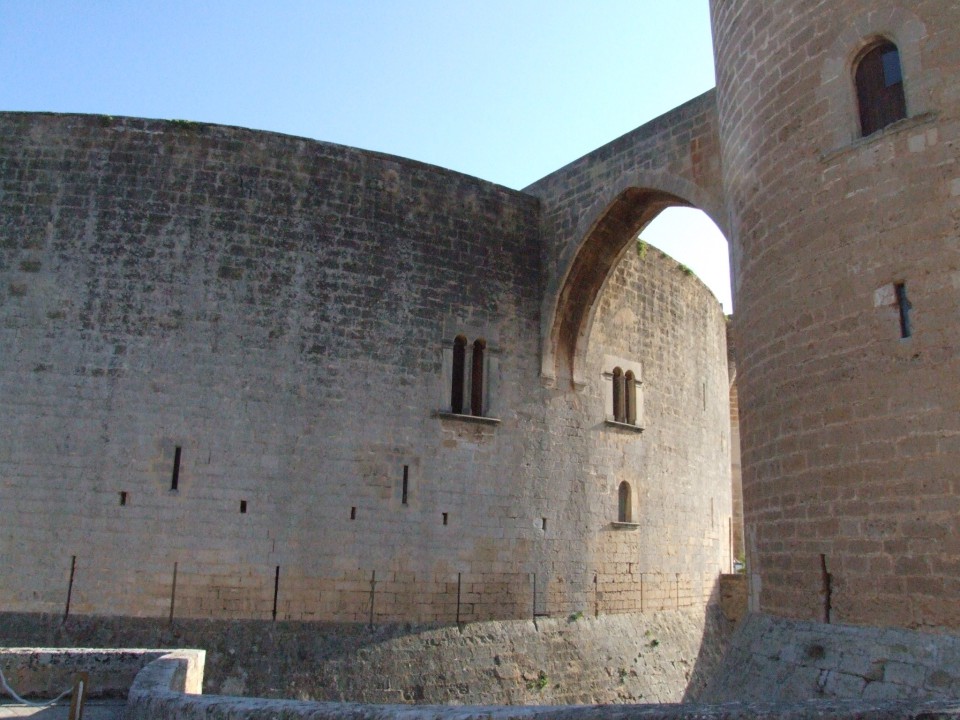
{"x": 278, "y": 315}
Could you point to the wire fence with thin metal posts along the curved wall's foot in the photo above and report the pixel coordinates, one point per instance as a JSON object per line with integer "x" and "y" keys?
{"x": 378, "y": 596}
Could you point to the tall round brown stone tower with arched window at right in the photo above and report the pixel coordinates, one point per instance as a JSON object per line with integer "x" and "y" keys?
{"x": 839, "y": 124}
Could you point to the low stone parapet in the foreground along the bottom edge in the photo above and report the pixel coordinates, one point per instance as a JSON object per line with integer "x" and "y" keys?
{"x": 168, "y": 686}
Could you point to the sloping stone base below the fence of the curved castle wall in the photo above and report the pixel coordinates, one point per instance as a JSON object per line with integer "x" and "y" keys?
{"x": 656, "y": 657}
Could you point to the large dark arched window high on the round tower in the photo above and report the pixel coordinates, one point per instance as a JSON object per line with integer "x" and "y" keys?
{"x": 879, "y": 82}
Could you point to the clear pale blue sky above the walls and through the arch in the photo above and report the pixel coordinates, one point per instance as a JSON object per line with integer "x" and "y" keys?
{"x": 507, "y": 90}
